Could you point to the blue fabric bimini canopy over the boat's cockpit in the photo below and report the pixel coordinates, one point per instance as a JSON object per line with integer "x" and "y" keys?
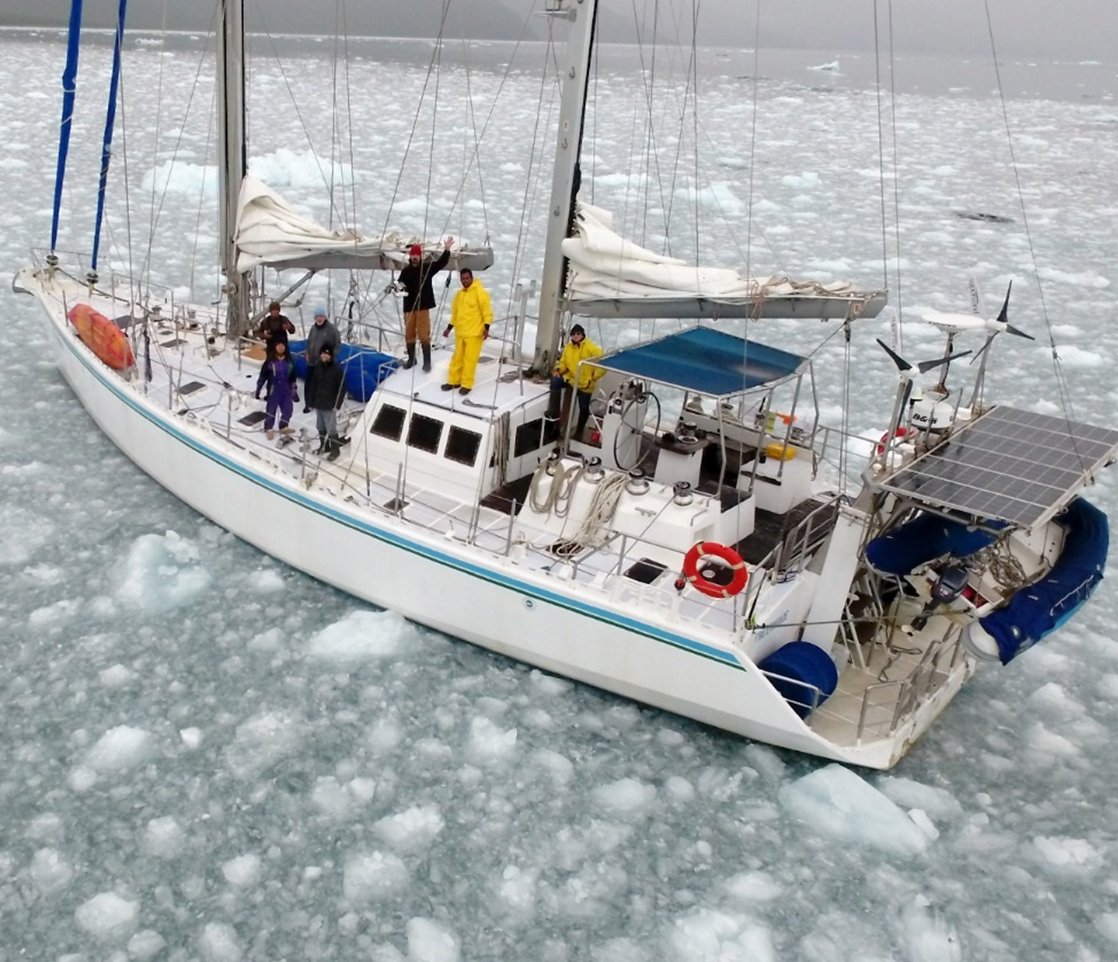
{"x": 706, "y": 362}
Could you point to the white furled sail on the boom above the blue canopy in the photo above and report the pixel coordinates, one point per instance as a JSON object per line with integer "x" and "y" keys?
{"x": 611, "y": 277}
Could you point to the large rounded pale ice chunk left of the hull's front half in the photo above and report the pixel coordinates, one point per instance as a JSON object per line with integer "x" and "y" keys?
{"x": 163, "y": 572}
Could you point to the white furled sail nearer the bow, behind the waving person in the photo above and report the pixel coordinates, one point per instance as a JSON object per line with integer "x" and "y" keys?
{"x": 272, "y": 234}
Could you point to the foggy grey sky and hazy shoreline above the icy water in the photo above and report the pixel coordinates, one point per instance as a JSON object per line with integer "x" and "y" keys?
{"x": 1043, "y": 30}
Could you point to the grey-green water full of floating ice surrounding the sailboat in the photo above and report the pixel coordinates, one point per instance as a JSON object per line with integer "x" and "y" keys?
{"x": 209, "y": 757}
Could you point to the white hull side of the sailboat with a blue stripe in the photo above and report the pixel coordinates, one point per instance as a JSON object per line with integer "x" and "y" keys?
{"x": 390, "y": 562}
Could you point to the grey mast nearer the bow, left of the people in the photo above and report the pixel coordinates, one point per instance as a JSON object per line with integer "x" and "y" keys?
{"x": 234, "y": 163}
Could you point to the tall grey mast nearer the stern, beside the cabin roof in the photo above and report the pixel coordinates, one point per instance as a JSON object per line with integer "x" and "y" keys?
{"x": 576, "y": 74}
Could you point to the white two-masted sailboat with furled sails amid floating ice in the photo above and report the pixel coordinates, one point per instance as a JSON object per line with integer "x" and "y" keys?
{"x": 709, "y": 564}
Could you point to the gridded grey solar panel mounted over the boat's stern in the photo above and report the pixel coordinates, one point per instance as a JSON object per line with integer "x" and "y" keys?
{"x": 1009, "y": 466}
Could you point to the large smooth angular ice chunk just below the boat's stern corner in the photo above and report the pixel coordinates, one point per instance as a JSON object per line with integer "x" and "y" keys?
{"x": 837, "y": 803}
